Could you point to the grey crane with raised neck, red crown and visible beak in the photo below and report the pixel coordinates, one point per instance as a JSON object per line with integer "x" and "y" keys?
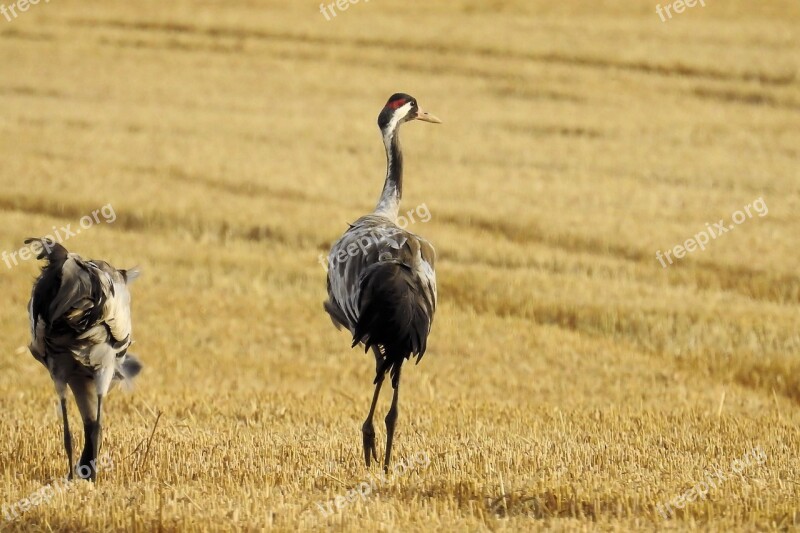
{"x": 381, "y": 279}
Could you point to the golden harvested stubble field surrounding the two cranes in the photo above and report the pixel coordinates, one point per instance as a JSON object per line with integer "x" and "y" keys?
{"x": 571, "y": 382}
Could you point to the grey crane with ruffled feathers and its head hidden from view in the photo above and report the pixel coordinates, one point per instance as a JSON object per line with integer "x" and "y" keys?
{"x": 80, "y": 331}
